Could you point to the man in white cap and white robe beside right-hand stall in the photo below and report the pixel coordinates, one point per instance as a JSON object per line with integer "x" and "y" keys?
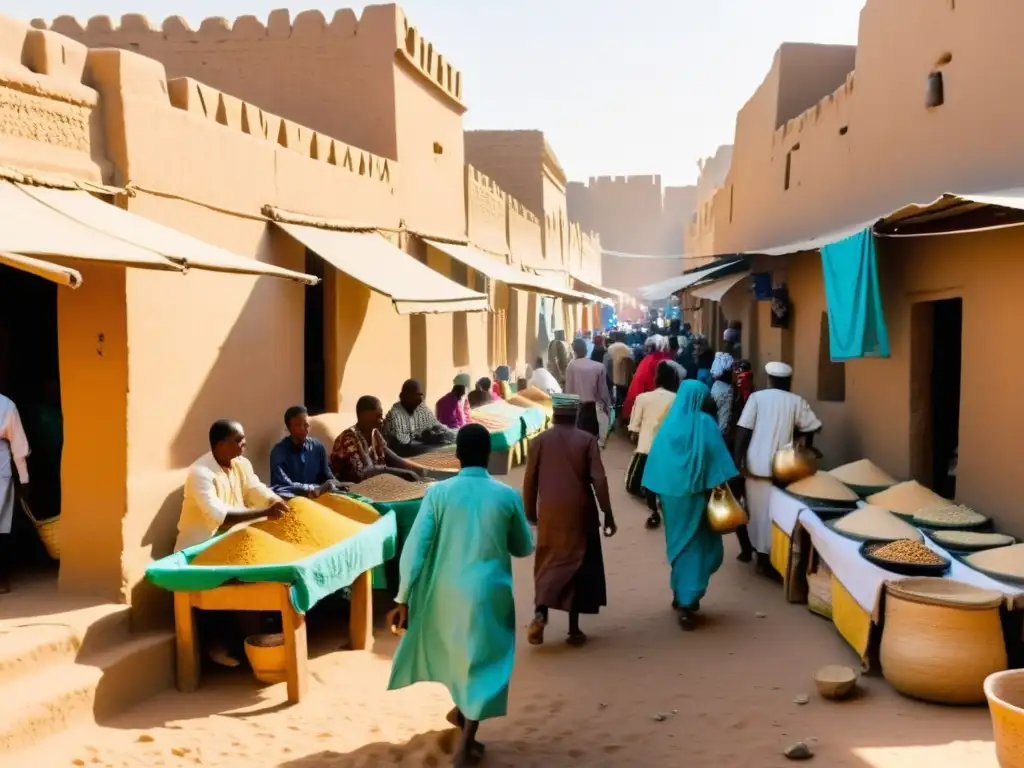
{"x": 772, "y": 419}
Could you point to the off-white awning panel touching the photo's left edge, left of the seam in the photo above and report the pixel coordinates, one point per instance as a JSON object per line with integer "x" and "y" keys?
{"x": 30, "y": 228}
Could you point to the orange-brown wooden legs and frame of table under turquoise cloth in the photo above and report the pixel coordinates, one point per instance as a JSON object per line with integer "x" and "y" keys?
{"x": 266, "y": 596}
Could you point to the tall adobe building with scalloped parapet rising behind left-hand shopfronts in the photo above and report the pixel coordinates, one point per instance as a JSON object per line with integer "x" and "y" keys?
{"x": 371, "y": 81}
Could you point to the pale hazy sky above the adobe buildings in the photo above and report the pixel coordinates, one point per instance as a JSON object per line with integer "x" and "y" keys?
{"x": 619, "y": 87}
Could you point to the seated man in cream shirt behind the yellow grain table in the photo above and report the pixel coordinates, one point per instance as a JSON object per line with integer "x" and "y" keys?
{"x": 222, "y": 491}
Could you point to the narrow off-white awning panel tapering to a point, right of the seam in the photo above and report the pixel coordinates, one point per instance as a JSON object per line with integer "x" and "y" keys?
{"x": 180, "y": 248}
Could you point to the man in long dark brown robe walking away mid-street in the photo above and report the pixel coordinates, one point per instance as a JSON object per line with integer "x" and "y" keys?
{"x": 565, "y": 486}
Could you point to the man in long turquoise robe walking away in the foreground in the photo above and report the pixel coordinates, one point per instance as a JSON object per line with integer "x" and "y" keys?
{"x": 456, "y": 591}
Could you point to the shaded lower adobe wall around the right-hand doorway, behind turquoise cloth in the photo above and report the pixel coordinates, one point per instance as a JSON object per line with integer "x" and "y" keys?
{"x": 877, "y": 418}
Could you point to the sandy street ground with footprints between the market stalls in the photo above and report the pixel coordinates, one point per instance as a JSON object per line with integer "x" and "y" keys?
{"x": 642, "y": 694}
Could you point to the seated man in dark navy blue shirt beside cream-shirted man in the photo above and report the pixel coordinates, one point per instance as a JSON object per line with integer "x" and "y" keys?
{"x": 300, "y": 463}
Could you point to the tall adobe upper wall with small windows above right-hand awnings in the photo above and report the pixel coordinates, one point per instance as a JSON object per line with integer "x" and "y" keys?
{"x": 878, "y": 119}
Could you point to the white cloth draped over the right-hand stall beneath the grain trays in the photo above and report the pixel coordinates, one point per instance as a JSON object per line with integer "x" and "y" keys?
{"x": 864, "y": 580}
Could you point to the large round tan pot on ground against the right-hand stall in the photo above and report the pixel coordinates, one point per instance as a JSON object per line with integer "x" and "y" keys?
{"x": 942, "y": 639}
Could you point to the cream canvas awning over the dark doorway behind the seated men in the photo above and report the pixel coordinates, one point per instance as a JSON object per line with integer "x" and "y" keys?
{"x": 370, "y": 259}
